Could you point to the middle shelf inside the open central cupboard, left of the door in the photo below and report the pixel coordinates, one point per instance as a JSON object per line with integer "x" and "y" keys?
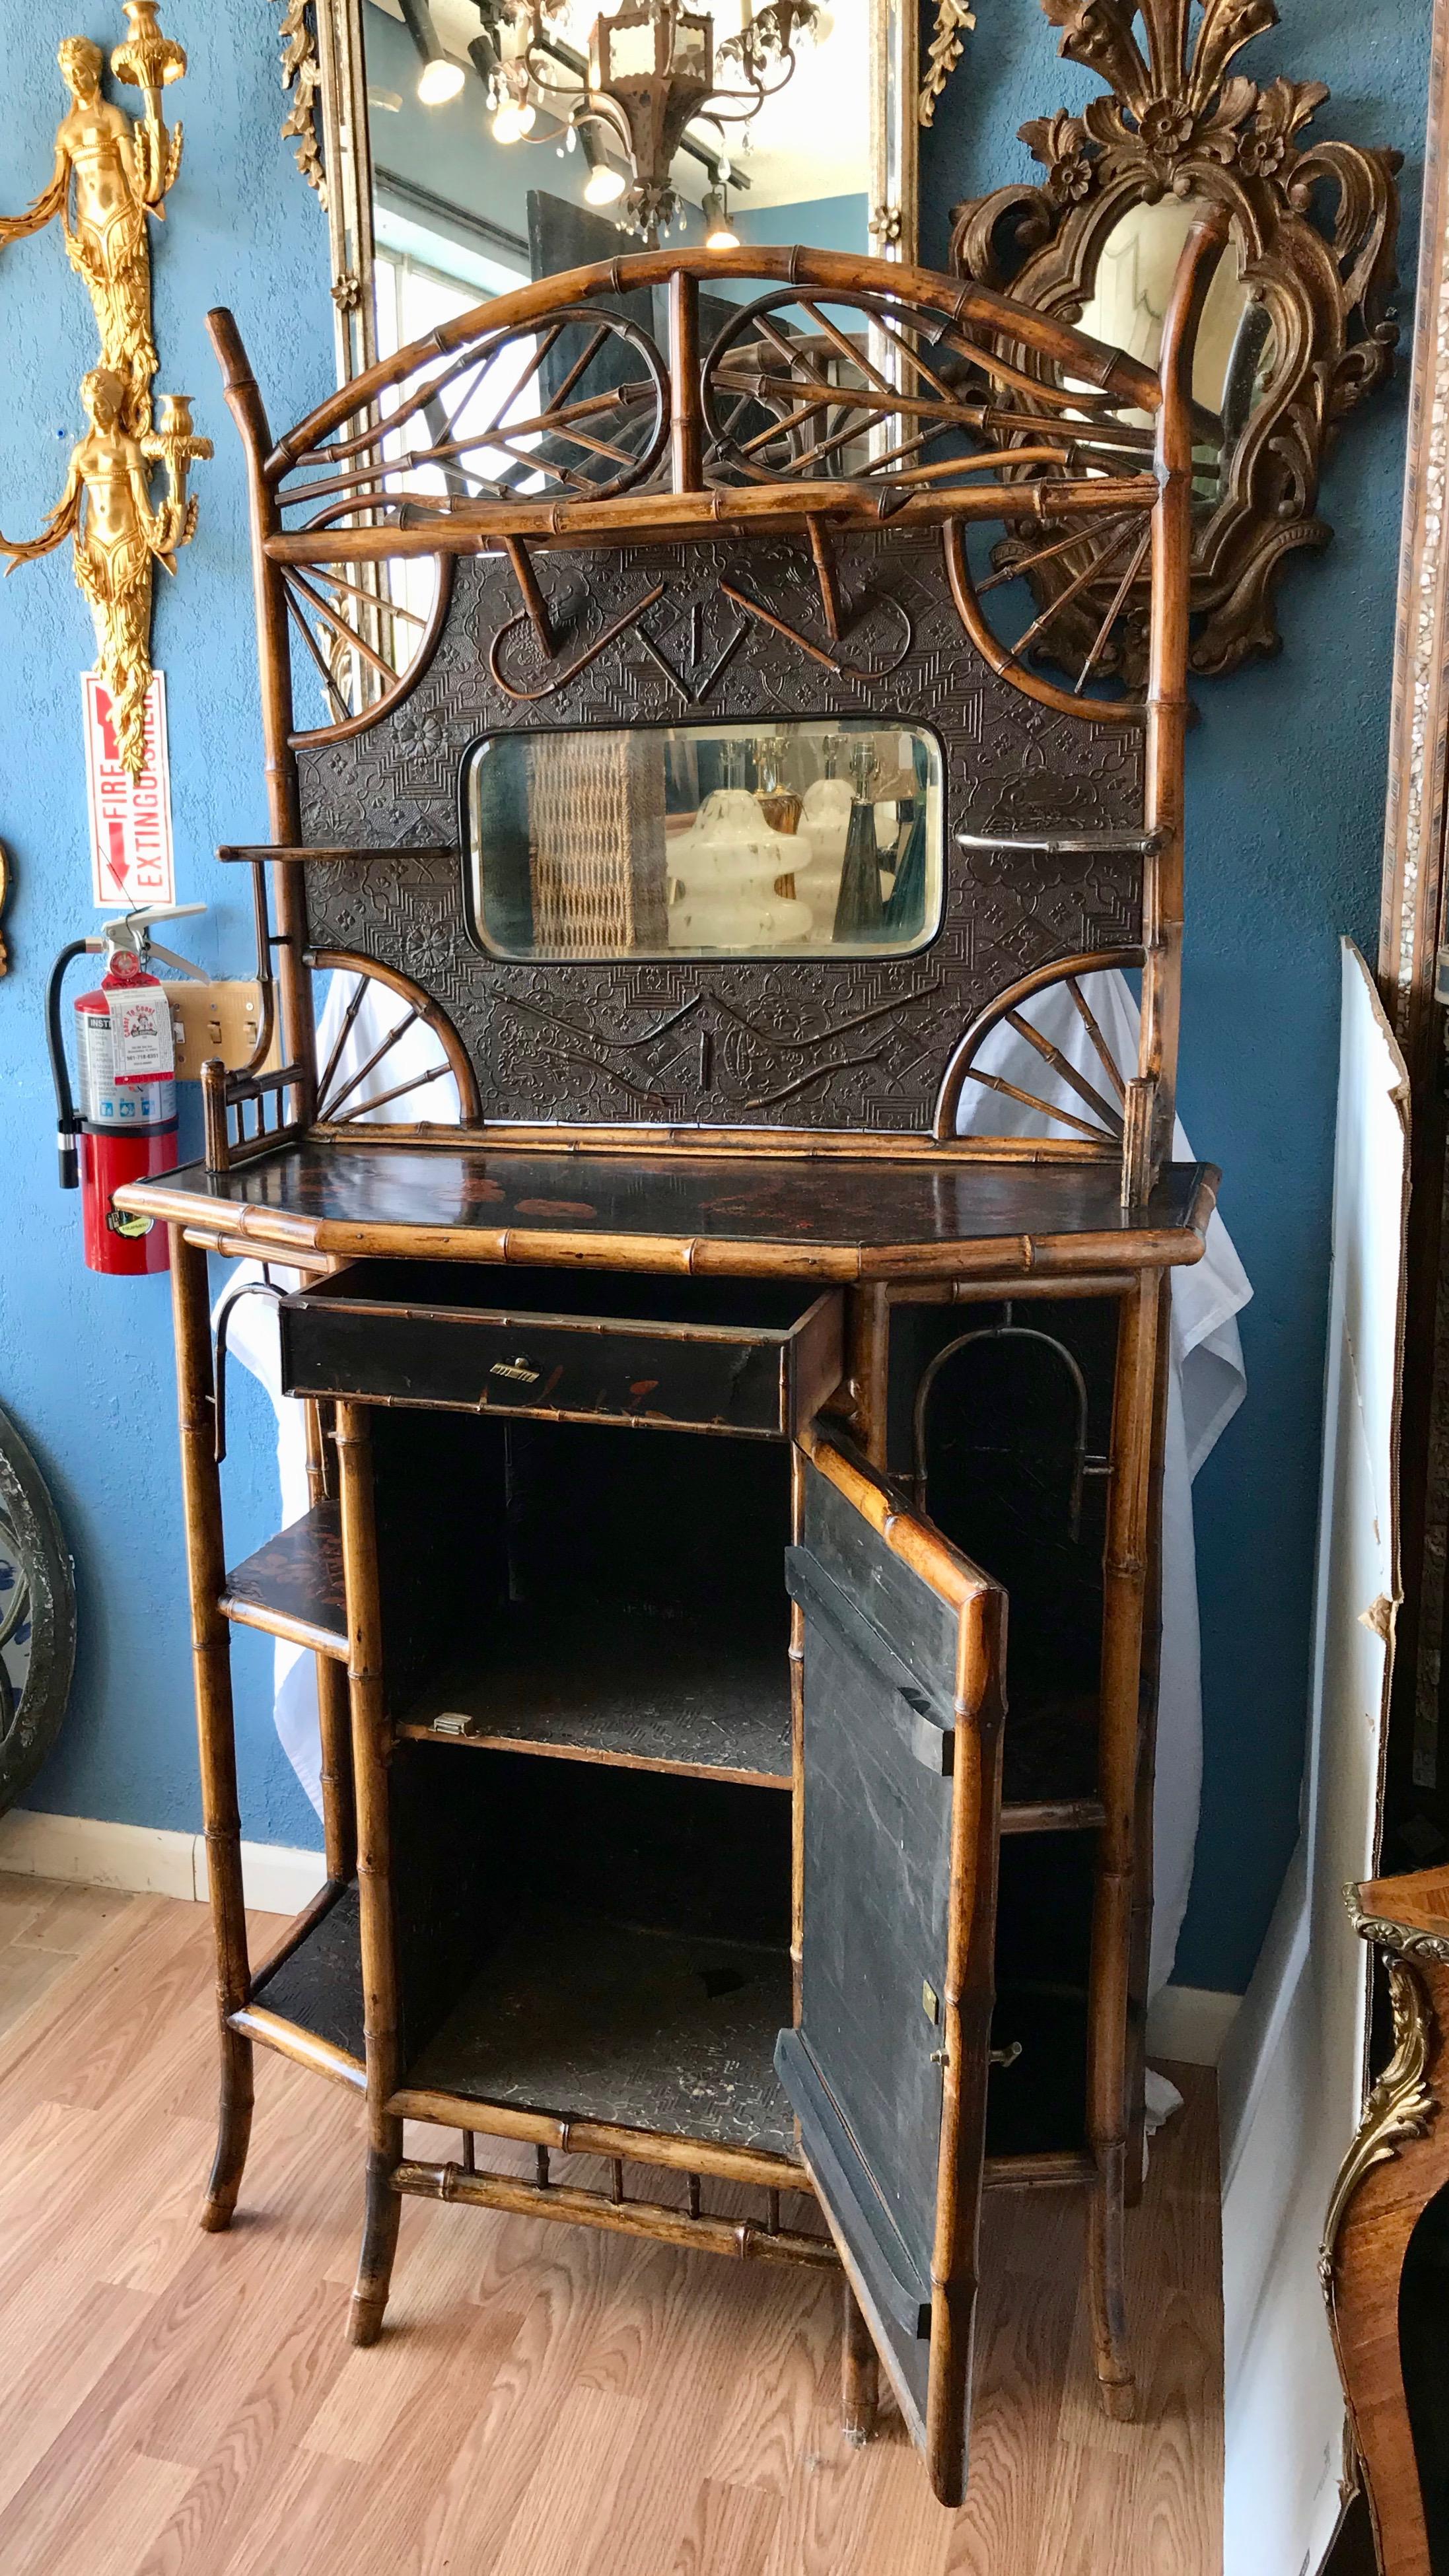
{"x": 648, "y": 1694}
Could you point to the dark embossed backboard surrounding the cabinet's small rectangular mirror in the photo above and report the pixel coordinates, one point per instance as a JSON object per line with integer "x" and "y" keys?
{"x": 793, "y": 1042}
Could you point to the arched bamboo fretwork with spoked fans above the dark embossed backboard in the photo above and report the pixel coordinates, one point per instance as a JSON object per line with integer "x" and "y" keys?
{"x": 834, "y": 390}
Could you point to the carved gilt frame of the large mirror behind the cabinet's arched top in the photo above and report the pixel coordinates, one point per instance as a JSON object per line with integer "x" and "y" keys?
{"x": 324, "y": 68}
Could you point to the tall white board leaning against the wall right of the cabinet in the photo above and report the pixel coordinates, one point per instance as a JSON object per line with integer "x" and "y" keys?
{"x": 1293, "y": 2072}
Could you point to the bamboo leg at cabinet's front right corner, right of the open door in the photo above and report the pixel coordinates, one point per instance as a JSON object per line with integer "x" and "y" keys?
{"x": 1120, "y": 1735}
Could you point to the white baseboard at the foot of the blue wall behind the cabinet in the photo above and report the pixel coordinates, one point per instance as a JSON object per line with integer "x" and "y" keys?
{"x": 1185, "y": 2023}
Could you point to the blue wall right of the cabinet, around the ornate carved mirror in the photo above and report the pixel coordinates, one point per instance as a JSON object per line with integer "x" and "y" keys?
{"x": 1285, "y": 831}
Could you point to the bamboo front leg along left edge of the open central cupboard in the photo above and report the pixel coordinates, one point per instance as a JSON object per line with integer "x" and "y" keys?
{"x": 375, "y": 1874}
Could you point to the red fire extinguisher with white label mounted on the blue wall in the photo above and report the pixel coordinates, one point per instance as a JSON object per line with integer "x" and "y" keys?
{"x": 128, "y": 1088}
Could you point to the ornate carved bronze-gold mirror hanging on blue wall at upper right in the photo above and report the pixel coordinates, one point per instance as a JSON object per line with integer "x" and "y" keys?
{"x": 1298, "y": 326}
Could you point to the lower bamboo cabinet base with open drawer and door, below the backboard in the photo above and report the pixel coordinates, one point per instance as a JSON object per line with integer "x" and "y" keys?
{"x": 623, "y": 1859}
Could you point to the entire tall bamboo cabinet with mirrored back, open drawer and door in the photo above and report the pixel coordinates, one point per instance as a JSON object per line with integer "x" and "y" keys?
{"x": 661, "y": 1336}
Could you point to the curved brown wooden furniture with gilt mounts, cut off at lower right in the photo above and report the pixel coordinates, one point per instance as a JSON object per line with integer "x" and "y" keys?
{"x": 1391, "y": 2178}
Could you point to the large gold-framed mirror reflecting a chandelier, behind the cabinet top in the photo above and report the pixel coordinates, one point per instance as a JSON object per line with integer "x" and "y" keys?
{"x": 463, "y": 148}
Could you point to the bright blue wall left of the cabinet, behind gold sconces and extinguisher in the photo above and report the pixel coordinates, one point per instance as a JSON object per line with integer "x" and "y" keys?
{"x": 86, "y": 1364}
